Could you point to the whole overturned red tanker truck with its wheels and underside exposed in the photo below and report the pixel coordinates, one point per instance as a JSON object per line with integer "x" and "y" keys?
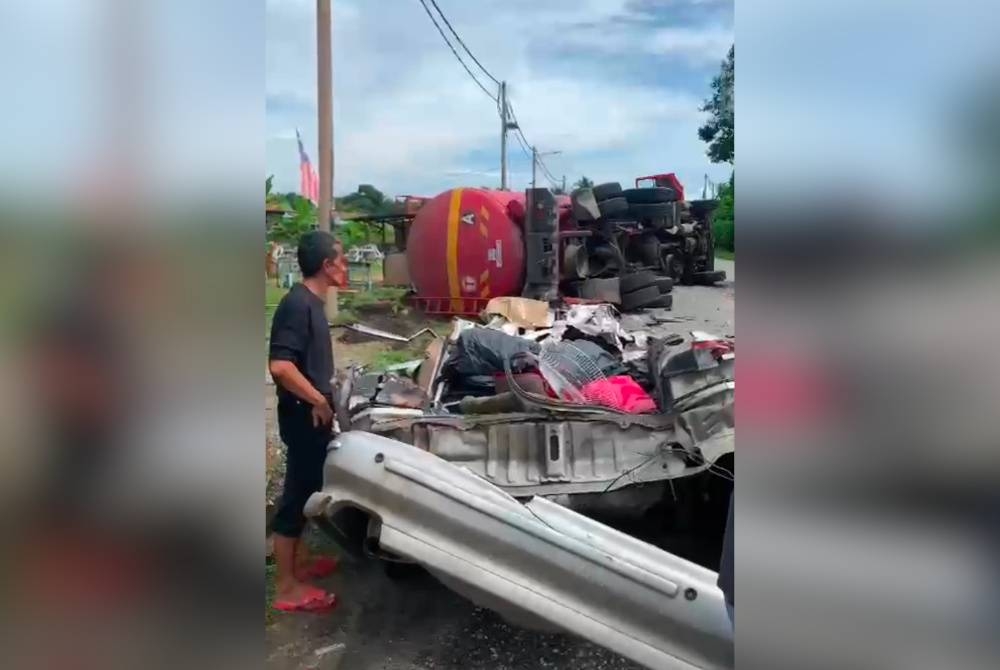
{"x": 623, "y": 246}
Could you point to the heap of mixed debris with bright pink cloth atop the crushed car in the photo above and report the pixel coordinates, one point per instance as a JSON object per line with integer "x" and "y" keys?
{"x": 527, "y": 356}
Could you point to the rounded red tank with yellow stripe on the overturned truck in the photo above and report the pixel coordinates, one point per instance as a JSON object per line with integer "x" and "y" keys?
{"x": 468, "y": 243}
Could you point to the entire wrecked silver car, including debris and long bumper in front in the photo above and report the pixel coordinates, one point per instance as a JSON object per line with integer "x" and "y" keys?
{"x": 570, "y": 469}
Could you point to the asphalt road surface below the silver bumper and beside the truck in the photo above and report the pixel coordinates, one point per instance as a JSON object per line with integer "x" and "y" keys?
{"x": 418, "y": 624}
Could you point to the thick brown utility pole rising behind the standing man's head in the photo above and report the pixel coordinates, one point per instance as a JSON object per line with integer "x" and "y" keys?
{"x": 324, "y": 85}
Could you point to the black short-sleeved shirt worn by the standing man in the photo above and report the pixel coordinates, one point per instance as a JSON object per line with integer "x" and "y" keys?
{"x": 300, "y": 334}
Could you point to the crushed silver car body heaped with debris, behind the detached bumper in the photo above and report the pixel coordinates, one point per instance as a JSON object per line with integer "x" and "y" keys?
{"x": 483, "y": 399}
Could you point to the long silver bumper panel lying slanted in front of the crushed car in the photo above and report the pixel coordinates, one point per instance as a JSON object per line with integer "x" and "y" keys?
{"x": 537, "y": 563}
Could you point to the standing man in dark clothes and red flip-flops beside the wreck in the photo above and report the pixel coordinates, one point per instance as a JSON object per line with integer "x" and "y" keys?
{"x": 301, "y": 362}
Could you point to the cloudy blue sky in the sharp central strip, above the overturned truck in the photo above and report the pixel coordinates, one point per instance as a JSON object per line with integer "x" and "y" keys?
{"x": 614, "y": 84}
